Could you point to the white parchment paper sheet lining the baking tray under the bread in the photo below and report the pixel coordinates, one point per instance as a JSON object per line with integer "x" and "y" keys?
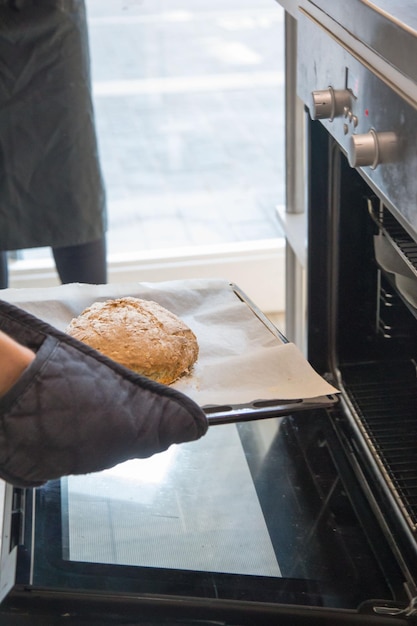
{"x": 240, "y": 359}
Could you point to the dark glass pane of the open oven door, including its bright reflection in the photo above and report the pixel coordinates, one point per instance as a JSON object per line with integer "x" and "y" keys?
{"x": 254, "y": 511}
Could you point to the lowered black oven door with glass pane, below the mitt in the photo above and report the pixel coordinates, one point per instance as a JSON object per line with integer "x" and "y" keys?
{"x": 260, "y": 522}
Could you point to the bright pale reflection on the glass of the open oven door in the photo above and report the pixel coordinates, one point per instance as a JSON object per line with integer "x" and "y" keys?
{"x": 193, "y": 507}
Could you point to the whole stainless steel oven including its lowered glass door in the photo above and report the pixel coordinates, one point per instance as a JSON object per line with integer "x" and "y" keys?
{"x": 285, "y": 513}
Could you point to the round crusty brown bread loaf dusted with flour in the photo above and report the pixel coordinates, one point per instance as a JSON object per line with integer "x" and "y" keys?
{"x": 139, "y": 334}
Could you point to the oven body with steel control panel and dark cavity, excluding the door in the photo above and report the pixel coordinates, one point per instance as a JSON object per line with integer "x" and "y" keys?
{"x": 362, "y": 233}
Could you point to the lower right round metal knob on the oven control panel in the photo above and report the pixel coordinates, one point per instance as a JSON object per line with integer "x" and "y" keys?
{"x": 372, "y": 149}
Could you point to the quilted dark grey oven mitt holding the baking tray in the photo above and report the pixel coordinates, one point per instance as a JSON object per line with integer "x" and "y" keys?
{"x": 74, "y": 411}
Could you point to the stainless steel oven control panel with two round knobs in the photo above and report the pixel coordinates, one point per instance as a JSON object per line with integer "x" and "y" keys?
{"x": 373, "y": 125}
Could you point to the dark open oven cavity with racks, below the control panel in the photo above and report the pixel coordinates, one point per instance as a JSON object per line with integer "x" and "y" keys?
{"x": 363, "y": 332}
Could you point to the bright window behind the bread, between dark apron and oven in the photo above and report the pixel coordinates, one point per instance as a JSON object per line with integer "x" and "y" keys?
{"x": 189, "y": 102}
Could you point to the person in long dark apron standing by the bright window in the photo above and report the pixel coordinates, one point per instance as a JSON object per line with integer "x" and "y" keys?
{"x": 51, "y": 188}
